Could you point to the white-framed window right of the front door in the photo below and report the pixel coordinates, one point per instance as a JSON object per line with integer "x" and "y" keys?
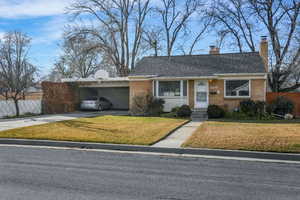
{"x": 237, "y": 88}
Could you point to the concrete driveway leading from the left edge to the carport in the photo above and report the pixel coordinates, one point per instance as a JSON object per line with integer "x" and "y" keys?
{"x": 6, "y": 124}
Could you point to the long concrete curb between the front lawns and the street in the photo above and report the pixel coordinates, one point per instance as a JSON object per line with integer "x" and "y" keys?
{"x": 148, "y": 149}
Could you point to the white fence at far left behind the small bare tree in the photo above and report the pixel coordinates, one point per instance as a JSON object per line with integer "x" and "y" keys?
{"x": 7, "y": 108}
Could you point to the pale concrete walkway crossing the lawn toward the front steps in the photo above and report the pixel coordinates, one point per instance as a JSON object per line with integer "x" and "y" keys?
{"x": 176, "y": 139}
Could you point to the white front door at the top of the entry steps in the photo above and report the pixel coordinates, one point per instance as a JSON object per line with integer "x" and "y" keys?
{"x": 201, "y": 94}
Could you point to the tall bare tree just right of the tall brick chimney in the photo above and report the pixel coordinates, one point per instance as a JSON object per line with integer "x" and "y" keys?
{"x": 281, "y": 19}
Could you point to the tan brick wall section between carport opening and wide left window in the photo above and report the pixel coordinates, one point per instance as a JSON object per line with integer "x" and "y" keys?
{"x": 137, "y": 88}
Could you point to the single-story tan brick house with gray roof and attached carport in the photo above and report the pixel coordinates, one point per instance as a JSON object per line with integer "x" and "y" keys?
{"x": 195, "y": 80}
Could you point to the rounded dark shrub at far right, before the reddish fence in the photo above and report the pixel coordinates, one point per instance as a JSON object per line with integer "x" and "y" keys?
{"x": 281, "y": 106}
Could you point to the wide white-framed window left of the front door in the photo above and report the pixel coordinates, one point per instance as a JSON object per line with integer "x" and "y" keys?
{"x": 170, "y": 88}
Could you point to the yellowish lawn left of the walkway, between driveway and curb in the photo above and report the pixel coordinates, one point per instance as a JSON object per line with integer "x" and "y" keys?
{"x": 106, "y": 129}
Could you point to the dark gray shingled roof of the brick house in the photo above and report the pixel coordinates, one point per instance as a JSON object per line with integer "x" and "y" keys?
{"x": 199, "y": 65}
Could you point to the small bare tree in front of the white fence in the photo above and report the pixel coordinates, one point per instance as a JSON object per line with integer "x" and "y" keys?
{"x": 16, "y": 72}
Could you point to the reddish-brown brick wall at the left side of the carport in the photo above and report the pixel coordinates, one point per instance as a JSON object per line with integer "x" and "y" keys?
{"x": 59, "y": 97}
